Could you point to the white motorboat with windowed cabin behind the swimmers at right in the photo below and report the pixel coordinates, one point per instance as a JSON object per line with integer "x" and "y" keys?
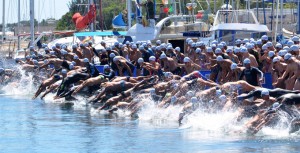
{"x": 230, "y": 25}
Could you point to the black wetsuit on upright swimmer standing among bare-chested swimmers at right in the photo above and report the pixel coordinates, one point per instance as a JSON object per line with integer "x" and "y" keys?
{"x": 251, "y": 75}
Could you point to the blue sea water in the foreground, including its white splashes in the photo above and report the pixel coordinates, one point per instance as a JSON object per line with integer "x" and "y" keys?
{"x": 55, "y": 126}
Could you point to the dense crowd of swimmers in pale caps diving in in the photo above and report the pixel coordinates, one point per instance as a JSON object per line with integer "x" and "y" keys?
{"x": 169, "y": 75}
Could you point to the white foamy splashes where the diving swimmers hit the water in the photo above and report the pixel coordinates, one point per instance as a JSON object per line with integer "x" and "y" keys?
{"x": 207, "y": 124}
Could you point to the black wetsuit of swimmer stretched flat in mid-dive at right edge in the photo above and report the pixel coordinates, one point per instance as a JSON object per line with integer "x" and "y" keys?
{"x": 272, "y": 92}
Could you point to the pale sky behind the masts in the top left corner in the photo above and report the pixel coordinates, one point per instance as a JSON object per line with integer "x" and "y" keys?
{"x": 44, "y": 9}
